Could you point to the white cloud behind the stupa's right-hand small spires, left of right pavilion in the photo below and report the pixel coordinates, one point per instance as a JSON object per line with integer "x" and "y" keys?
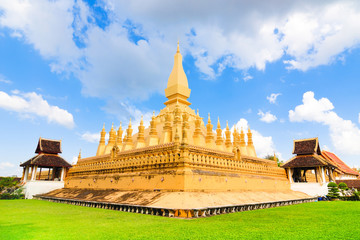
{"x": 263, "y": 145}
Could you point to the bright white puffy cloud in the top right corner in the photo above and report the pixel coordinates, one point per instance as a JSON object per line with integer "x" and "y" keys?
{"x": 314, "y": 39}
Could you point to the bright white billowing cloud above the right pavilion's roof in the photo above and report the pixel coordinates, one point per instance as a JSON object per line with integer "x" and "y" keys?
{"x": 345, "y": 135}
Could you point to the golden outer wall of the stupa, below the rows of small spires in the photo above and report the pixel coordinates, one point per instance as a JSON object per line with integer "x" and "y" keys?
{"x": 177, "y": 167}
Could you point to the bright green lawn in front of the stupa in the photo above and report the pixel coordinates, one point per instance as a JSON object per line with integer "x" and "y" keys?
{"x": 35, "y": 219}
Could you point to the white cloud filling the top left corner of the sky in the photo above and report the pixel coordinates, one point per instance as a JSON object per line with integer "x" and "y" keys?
{"x": 47, "y": 26}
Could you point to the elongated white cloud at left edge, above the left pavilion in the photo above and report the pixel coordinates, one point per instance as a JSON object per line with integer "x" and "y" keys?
{"x": 32, "y": 104}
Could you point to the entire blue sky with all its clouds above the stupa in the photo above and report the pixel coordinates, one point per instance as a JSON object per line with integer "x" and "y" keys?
{"x": 290, "y": 71}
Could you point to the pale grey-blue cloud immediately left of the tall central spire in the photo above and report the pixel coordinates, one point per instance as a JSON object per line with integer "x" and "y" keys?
{"x": 137, "y": 69}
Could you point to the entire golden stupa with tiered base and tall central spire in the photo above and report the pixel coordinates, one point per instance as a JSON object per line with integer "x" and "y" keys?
{"x": 178, "y": 162}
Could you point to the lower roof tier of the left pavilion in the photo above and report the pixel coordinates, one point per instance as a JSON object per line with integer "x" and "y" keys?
{"x": 46, "y": 160}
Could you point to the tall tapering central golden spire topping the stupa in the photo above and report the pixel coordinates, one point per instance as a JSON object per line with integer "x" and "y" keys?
{"x": 177, "y": 89}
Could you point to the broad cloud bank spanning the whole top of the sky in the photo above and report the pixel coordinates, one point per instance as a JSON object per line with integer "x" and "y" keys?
{"x": 127, "y": 52}
